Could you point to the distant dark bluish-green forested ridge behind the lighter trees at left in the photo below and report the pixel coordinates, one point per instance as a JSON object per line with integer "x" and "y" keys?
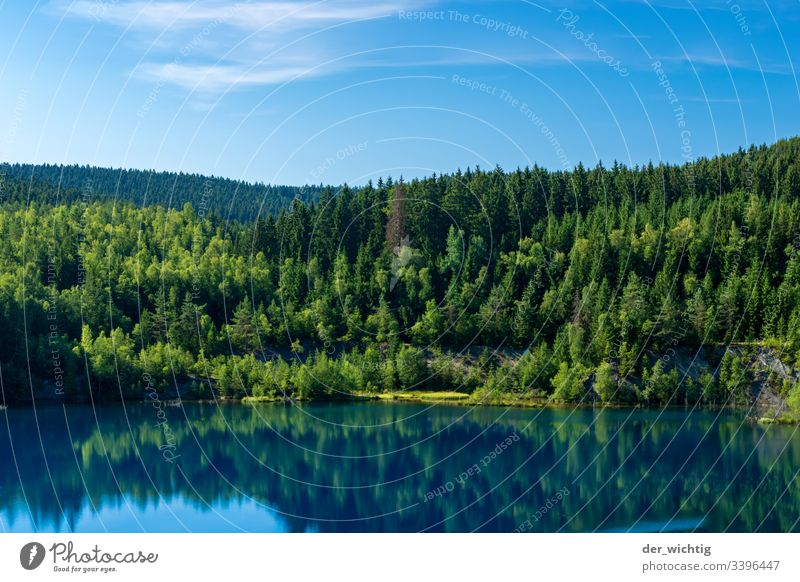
{"x": 229, "y": 199}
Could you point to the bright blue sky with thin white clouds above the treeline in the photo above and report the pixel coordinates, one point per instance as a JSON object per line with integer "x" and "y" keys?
{"x": 343, "y": 91}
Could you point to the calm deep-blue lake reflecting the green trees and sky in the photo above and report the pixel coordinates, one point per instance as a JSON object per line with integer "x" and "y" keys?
{"x": 392, "y": 467}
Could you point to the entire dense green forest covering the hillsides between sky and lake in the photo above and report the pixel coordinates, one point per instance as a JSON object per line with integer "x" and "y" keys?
{"x": 531, "y": 284}
